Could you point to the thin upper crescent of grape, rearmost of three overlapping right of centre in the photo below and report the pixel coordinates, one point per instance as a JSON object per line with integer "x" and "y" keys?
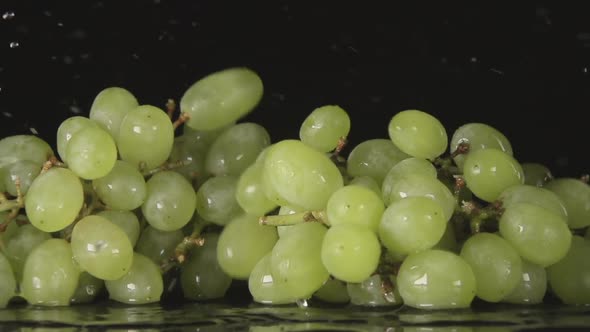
{"x": 406, "y": 167}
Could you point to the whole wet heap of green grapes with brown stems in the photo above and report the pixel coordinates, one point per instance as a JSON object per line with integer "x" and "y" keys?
{"x": 131, "y": 201}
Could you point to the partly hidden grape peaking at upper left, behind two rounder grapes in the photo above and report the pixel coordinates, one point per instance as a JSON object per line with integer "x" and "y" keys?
{"x": 110, "y": 107}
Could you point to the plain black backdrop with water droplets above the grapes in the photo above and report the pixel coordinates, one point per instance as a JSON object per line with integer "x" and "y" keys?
{"x": 522, "y": 68}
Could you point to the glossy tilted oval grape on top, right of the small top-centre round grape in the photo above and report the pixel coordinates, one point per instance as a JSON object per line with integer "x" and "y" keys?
{"x": 418, "y": 134}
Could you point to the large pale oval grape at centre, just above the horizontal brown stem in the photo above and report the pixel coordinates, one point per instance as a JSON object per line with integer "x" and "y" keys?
{"x": 300, "y": 175}
